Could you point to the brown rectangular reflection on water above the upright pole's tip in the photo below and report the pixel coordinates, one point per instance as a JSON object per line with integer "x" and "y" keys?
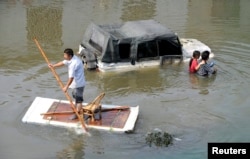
{"x": 44, "y": 23}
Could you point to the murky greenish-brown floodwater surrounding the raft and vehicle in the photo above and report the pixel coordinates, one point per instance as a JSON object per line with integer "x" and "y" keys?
{"x": 195, "y": 110}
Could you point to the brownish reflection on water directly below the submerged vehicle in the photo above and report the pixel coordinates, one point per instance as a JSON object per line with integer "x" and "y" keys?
{"x": 126, "y": 83}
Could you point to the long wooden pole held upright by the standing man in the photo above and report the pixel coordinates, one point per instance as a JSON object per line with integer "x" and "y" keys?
{"x": 61, "y": 85}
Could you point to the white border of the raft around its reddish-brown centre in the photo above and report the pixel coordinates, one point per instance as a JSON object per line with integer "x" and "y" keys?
{"x": 42, "y": 105}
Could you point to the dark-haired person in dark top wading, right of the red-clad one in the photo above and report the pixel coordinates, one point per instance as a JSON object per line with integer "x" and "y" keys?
{"x": 205, "y": 68}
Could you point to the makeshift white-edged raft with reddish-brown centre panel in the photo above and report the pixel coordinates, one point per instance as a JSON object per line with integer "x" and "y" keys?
{"x": 113, "y": 118}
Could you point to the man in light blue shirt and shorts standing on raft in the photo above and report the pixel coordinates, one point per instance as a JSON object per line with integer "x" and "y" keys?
{"x": 76, "y": 79}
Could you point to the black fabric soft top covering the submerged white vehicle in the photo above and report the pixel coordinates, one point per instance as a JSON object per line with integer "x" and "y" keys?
{"x": 133, "y": 40}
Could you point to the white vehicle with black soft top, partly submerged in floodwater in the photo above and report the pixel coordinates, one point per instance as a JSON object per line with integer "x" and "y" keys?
{"x": 134, "y": 44}
